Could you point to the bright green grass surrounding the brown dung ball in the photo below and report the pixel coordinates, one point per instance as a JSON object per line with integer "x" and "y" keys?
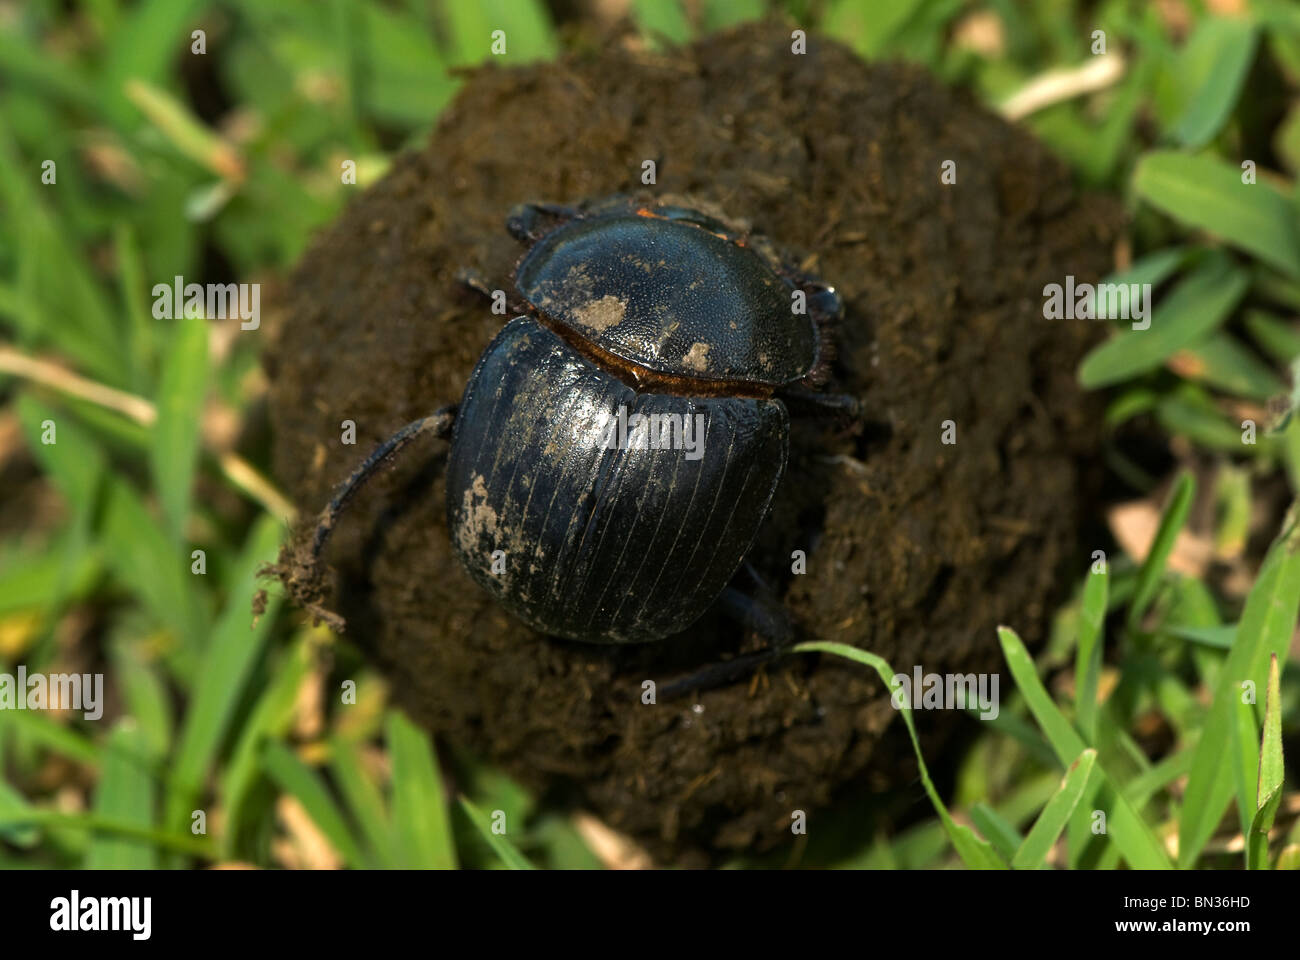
{"x": 242, "y": 729}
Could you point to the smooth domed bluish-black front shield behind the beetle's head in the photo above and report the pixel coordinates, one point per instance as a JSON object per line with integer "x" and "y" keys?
{"x": 669, "y": 291}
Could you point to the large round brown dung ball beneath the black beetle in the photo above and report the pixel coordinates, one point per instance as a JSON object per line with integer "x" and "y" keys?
{"x": 916, "y": 550}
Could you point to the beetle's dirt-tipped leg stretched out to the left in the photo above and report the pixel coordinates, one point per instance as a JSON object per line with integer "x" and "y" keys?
{"x": 302, "y": 567}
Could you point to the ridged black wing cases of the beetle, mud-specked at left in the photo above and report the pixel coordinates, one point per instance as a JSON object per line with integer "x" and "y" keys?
{"x": 601, "y": 546}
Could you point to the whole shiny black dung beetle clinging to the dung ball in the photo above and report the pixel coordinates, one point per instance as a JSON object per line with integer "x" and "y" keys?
{"x": 619, "y": 443}
